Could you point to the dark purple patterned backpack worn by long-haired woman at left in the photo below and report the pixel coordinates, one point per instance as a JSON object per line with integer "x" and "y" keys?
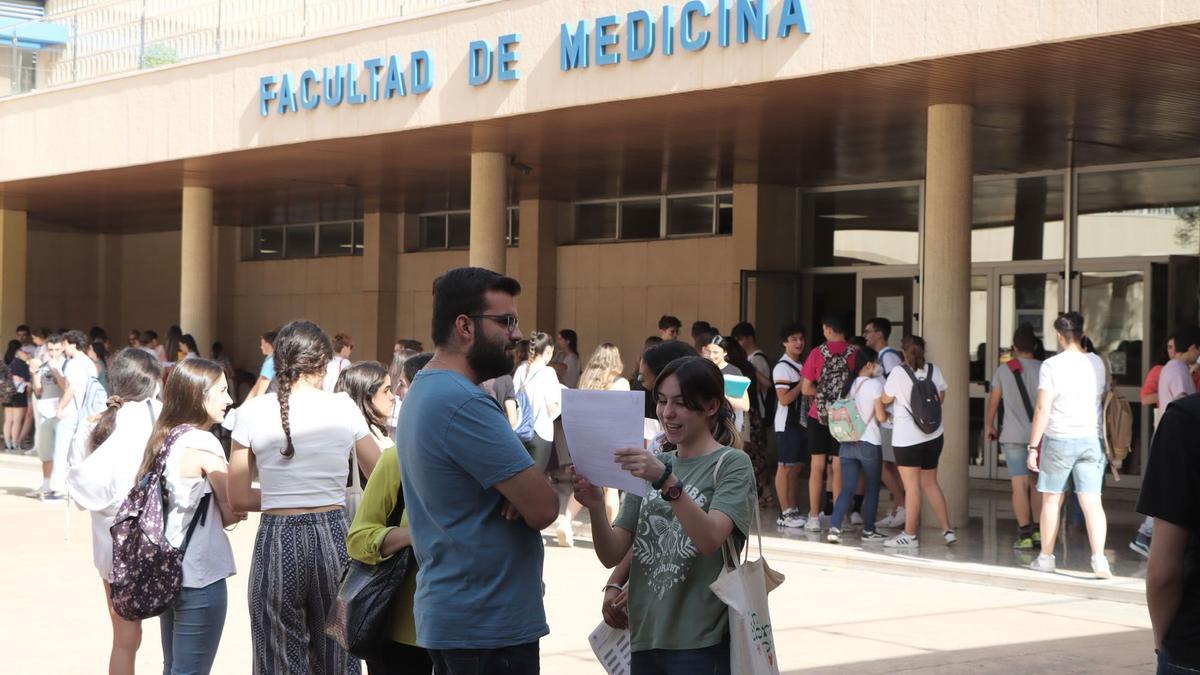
{"x": 148, "y": 572}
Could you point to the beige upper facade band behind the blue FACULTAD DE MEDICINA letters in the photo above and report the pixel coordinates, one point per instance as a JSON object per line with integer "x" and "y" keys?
{"x": 211, "y": 106}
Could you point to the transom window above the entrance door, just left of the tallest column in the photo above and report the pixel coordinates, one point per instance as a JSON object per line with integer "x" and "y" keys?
{"x": 863, "y": 228}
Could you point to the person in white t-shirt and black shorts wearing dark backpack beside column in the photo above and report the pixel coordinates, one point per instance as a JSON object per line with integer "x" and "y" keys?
{"x": 917, "y": 451}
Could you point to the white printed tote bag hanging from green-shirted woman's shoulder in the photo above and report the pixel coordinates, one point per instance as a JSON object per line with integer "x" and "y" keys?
{"x": 743, "y": 586}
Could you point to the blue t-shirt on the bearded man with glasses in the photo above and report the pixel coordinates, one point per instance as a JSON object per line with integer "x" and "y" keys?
{"x": 479, "y": 581}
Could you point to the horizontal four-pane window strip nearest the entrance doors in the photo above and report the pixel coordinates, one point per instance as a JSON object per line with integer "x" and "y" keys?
{"x": 639, "y": 219}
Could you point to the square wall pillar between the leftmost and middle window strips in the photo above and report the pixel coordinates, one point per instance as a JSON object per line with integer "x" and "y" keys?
{"x": 381, "y": 250}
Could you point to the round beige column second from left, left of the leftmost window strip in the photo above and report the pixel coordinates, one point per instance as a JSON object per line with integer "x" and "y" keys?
{"x": 197, "y": 288}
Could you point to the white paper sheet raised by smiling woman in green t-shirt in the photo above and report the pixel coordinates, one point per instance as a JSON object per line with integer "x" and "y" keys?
{"x": 599, "y": 423}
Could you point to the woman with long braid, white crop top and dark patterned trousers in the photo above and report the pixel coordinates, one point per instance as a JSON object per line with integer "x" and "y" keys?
{"x": 299, "y": 440}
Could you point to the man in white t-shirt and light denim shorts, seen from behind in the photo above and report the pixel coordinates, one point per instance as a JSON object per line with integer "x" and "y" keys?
{"x": 1066, "y": 439}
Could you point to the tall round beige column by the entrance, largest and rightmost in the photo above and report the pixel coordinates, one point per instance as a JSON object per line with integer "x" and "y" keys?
{"x": 946, "y": 289}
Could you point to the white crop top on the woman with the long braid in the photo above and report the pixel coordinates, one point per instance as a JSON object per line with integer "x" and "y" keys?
{"x": 325, "y": 429}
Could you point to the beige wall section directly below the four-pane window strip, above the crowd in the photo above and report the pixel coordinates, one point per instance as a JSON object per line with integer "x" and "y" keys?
{"x": 617, "y": 292}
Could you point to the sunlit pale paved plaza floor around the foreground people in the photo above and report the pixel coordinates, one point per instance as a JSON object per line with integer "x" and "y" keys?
{"x": 827, "y": 618}
